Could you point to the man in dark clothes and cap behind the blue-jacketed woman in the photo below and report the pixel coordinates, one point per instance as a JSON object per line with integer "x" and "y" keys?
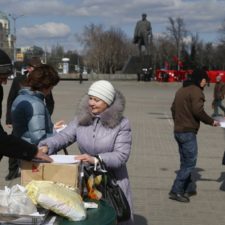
{"x": 17, "y": 83}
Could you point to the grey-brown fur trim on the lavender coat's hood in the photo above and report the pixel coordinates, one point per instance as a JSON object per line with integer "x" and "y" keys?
{"x": 111, "y": 117}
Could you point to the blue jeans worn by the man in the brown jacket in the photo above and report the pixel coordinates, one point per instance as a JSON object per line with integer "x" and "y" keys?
{"x": 188, "y": 149}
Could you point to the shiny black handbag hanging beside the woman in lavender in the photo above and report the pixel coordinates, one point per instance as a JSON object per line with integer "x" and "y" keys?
{"x": 111, "y": 191}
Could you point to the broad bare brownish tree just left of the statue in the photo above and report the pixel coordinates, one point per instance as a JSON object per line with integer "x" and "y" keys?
{"x": 105, "y": 50}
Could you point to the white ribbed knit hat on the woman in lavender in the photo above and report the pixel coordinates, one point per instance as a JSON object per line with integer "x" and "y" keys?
{"x": 104, "y": 90}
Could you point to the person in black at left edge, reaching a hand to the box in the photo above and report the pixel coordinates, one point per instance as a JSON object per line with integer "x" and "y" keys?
{"x": 10, "y": 145}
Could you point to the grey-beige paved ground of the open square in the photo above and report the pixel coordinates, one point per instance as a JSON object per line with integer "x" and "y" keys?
{"x": 154, "y": 158}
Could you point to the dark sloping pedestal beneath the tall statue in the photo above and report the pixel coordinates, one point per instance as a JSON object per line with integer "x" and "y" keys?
{"x": 135, "y": 64}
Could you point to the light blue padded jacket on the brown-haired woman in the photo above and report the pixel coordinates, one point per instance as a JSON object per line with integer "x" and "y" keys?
{"x": 30, "y": 118}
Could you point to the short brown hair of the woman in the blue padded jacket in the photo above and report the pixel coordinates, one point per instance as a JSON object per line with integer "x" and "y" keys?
{"x": 41, "y": 77}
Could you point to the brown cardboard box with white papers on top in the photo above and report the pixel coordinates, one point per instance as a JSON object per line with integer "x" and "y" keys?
{"x": 62, "y": 173}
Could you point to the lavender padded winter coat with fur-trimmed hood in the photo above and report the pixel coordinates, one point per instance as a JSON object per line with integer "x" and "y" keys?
{"x": 107, "y": 135}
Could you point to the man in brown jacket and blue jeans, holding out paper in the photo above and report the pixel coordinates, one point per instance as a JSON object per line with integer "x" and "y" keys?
{"x": 187, "y": 112}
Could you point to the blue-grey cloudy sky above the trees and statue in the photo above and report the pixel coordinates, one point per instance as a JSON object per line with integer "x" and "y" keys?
{"x": 48, "y": 22}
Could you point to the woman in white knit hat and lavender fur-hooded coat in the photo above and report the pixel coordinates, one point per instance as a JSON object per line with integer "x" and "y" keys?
{"x": 100, "y": 129}
